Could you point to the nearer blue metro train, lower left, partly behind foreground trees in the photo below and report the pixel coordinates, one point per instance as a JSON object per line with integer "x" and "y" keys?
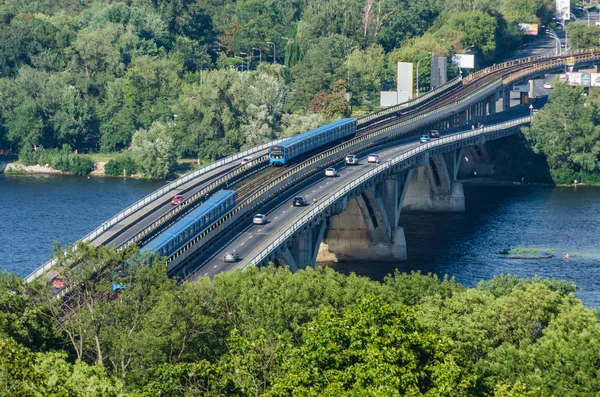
{"x": 182, "y": 232}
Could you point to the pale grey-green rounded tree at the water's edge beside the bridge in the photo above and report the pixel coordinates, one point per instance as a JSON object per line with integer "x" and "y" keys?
{"x": 154, "y": 150}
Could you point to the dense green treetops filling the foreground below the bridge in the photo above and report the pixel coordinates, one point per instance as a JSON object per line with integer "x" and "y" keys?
{"x": 268, "y": 332}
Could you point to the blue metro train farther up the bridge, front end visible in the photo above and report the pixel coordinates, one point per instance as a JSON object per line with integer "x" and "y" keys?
{"x": 305, "y": 142}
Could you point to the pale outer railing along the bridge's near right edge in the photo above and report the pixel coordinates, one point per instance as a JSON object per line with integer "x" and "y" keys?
{"x": 285, "y": 233}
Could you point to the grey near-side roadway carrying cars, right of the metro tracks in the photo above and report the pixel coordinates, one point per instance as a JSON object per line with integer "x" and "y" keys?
{"x": 245, "y": 243}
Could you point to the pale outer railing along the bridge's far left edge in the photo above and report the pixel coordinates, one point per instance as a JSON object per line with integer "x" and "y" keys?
{"x": 155, "y": 196}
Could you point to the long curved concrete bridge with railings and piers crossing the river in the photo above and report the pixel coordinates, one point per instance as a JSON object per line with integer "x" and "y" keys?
{"x": 357, "y": 214}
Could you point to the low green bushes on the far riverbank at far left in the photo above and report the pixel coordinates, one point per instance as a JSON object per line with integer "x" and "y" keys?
{"x": 63, "y": 160}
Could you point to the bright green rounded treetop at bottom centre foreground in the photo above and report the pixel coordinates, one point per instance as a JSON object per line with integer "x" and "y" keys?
{"x": 371, "y": 349}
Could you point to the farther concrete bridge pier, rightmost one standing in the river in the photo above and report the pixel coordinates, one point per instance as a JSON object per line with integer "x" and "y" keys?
{"x": 433, "y": 188}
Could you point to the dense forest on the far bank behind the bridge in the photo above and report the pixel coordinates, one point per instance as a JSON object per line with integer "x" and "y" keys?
{"x": 204, "y": 78}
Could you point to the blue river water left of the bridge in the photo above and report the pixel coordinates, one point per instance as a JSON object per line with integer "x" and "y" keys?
{"x": 37, "y": 210}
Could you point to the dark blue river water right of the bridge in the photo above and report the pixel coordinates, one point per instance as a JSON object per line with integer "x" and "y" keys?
{"x": 467, "y": 245}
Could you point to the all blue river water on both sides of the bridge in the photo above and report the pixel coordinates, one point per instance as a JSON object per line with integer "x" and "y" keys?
{"x": 37, "y": 210}
